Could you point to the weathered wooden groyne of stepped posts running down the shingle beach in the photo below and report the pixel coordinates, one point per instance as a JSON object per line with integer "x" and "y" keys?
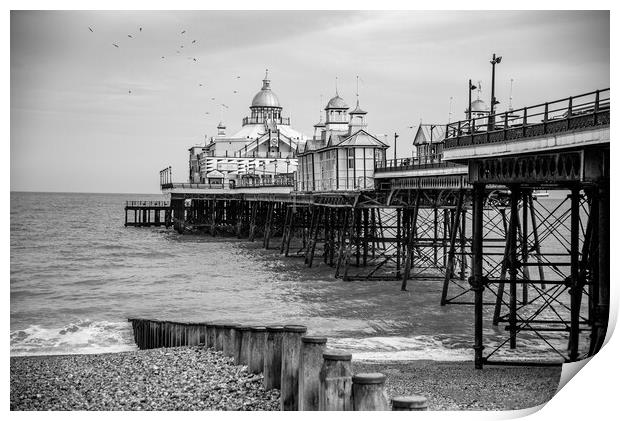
{"x": 309, "y": 376}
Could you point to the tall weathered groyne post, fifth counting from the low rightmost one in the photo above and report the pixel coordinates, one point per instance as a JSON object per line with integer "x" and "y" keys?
{"x": 289, "y": 382}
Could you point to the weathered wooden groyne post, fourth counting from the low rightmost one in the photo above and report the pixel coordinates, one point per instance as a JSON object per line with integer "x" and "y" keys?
{"x": 311, "y": 360}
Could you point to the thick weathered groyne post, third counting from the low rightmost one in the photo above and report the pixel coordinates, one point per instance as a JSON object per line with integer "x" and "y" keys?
{"x": 335, "y": 382}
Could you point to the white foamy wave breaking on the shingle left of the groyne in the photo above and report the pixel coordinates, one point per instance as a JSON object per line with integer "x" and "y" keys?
{"x": 81, "y": 337}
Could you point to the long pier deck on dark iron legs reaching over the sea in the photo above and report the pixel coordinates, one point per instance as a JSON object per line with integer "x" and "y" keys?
{"x": 469, "y": 217}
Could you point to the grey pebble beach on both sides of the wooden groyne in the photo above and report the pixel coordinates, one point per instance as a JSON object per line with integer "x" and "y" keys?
{"x": 195, "y": 378}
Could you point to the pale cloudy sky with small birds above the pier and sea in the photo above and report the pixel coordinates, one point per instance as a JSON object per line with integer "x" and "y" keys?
{"x": 75, "y": 126}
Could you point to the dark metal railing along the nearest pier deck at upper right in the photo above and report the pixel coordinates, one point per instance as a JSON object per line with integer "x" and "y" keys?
{"x": 575, "y": 112}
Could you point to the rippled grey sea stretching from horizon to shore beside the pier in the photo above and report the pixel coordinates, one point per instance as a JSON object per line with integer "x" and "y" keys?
{"x": 77, "y": 275}
